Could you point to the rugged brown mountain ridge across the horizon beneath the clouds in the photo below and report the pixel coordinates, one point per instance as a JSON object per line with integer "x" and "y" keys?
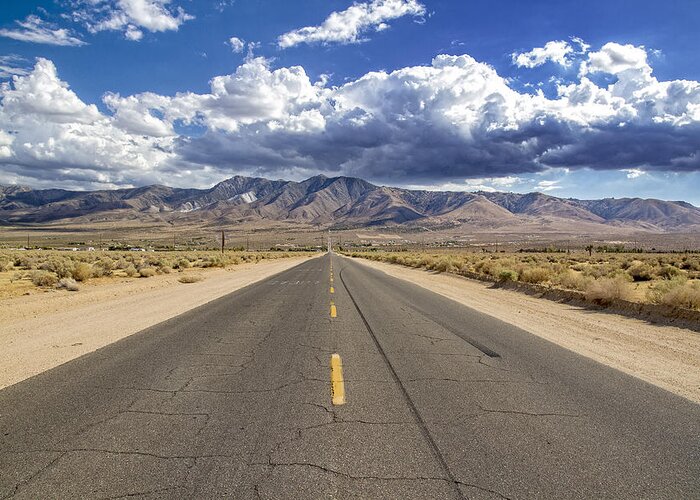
{"x": 345, "y": 201}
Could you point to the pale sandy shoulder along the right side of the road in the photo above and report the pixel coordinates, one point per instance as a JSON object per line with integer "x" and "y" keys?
{"x": 666, "y": 356}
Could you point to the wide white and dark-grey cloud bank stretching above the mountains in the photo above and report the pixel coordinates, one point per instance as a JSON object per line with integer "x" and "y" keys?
{"x": 453, "y": 119}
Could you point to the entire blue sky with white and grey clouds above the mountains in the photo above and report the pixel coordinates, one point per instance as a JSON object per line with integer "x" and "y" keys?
{"x": 575, "y": 99}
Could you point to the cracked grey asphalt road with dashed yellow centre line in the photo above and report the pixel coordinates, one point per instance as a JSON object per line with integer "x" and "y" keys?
{"x": 233, "y": 399}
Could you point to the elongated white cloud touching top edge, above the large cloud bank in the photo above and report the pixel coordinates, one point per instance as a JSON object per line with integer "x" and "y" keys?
{"x": 350, "y": 25}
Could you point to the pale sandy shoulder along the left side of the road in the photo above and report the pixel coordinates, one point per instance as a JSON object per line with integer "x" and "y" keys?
{"x": 44, "y": 330}
